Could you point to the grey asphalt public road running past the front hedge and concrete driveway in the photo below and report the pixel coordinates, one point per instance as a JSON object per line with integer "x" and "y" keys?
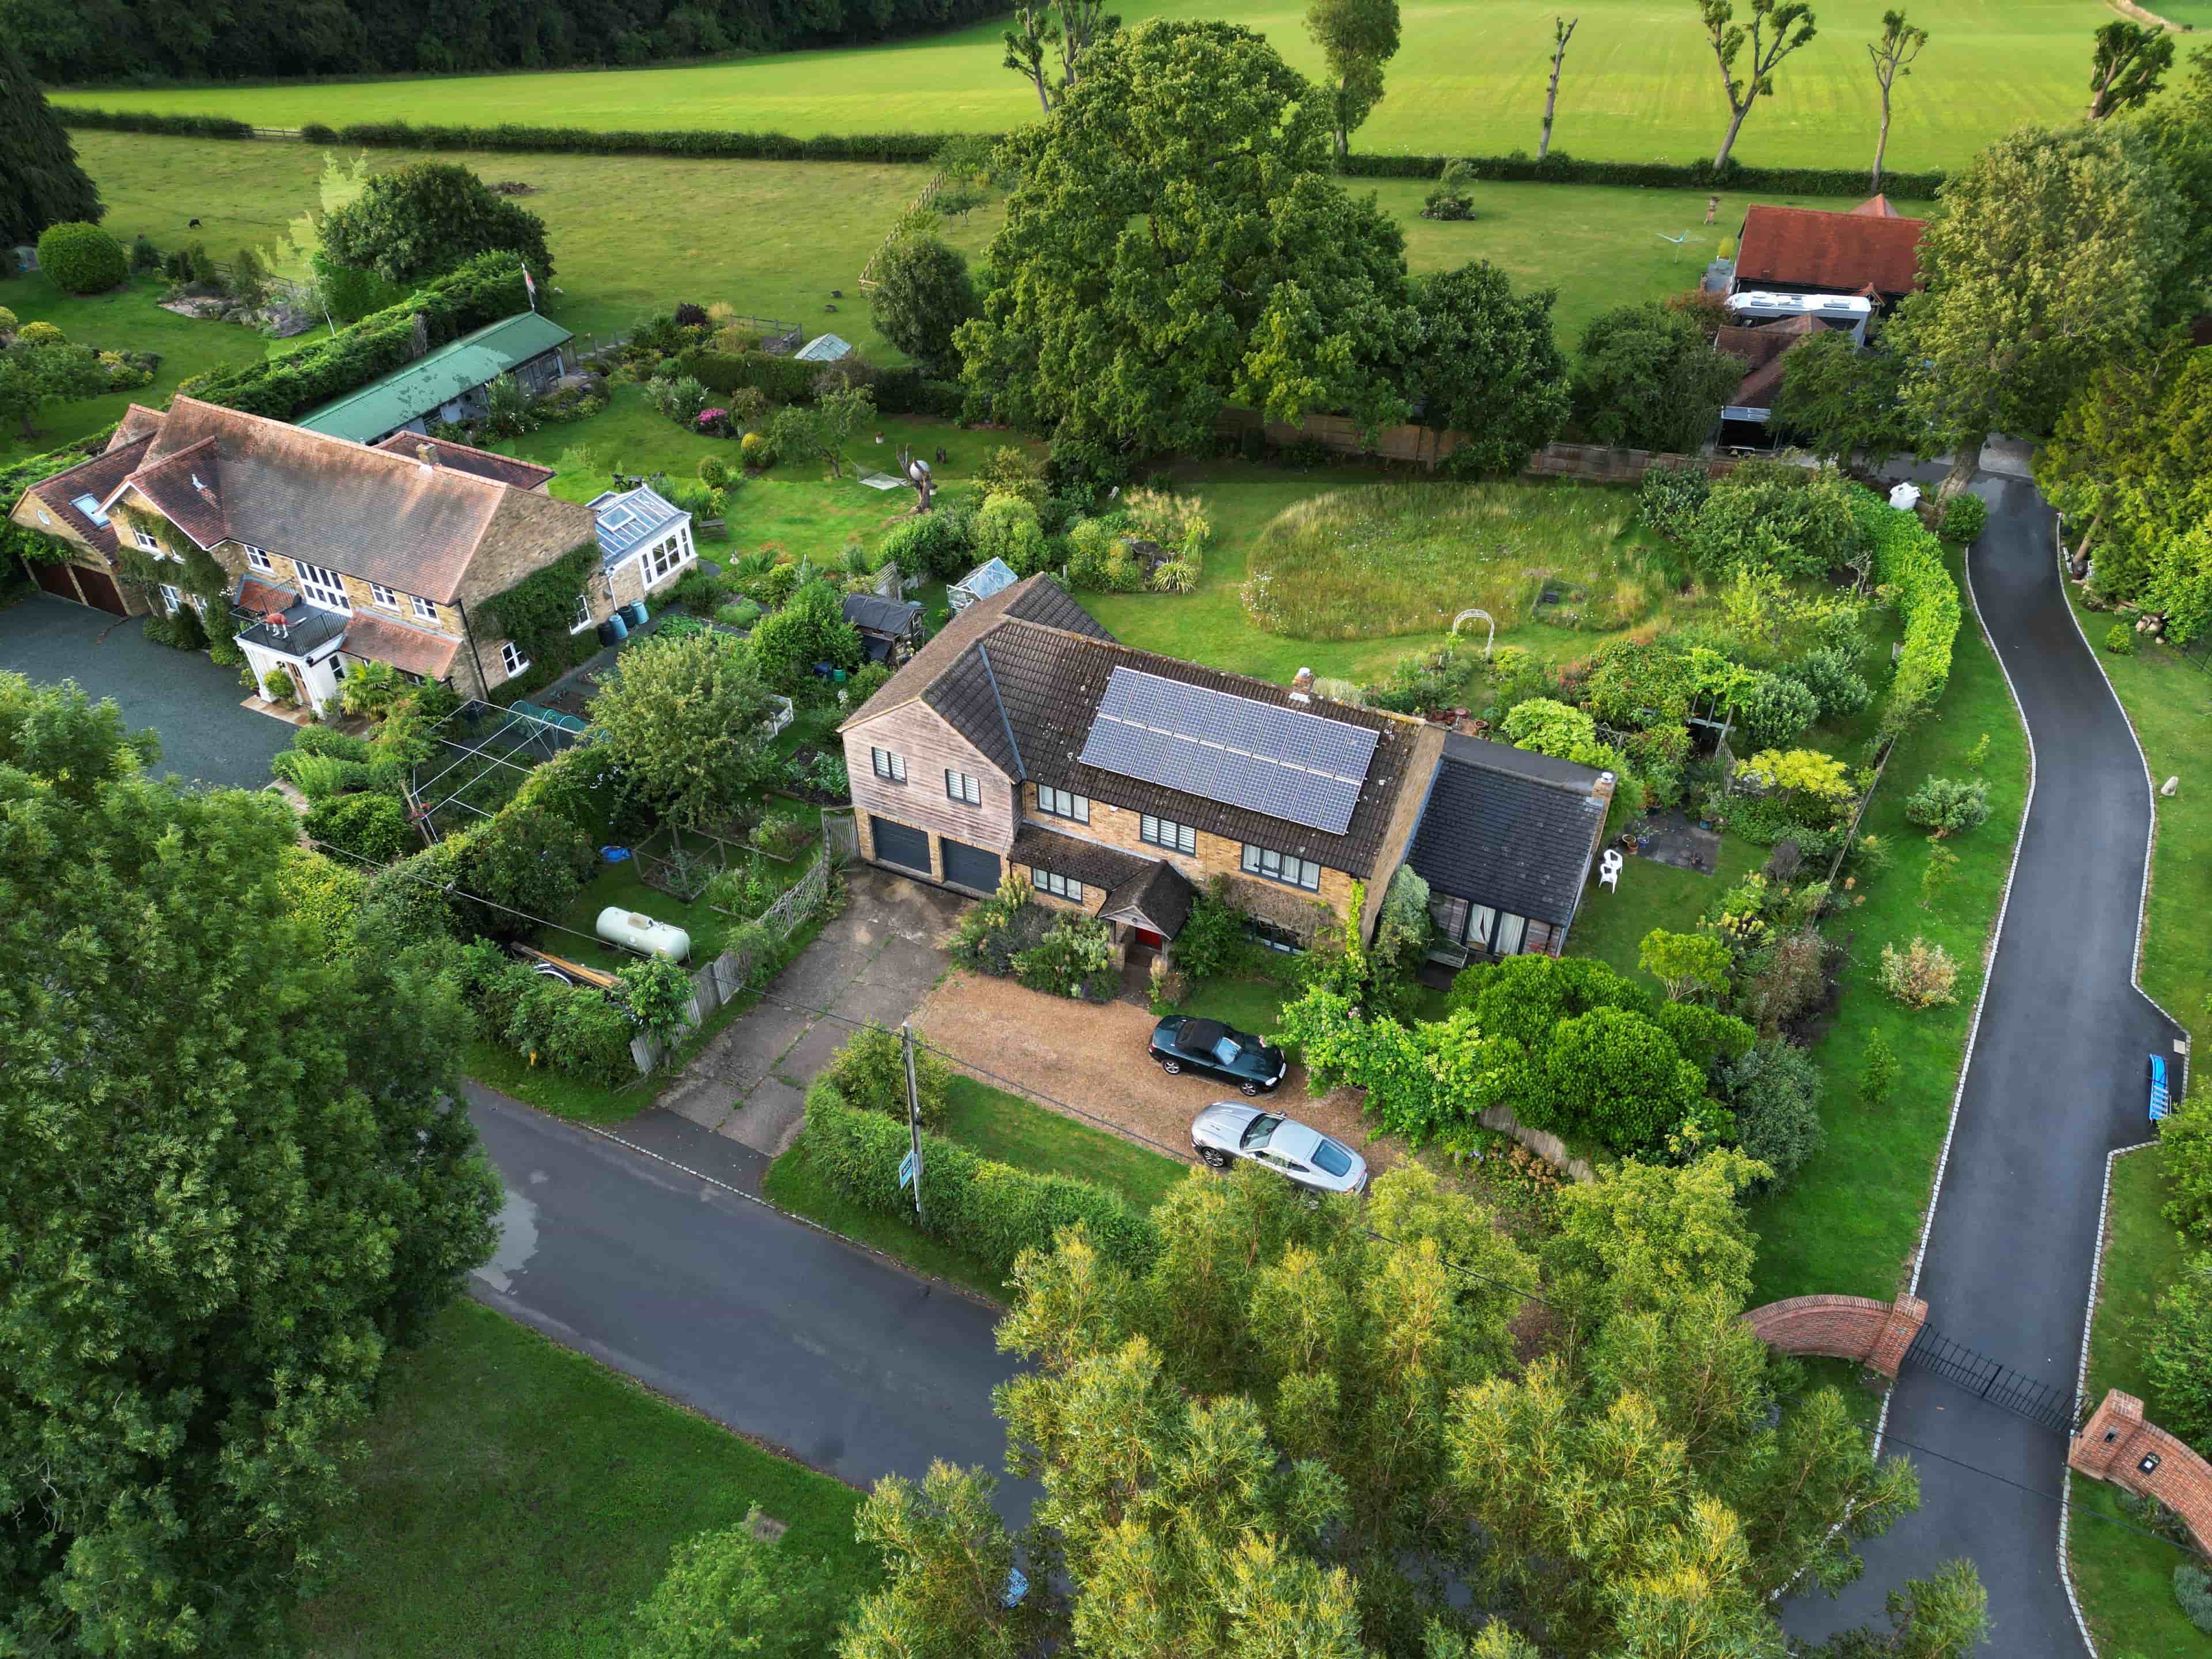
{"x": 760, "y": 1322}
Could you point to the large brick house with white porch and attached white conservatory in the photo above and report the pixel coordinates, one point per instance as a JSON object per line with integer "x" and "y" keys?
{"x": 337, "y": 552}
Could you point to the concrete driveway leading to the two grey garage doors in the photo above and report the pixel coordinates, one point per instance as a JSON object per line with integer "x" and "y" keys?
{"x": 870, "y": 963}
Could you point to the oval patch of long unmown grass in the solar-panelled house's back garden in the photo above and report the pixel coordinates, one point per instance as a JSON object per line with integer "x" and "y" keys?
{"x": 1406, "y": 559}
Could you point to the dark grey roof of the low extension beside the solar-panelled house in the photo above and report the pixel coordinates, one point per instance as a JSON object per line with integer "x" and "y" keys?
{"x": 1510, "y": 828}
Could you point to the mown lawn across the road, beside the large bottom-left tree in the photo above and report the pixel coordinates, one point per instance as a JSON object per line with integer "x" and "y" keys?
{"x": 519, "y": 1503}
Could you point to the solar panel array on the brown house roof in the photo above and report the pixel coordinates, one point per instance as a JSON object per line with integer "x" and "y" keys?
{"x": 1293, "y": 766}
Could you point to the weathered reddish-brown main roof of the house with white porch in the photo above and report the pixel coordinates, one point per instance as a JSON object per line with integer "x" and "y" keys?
{"x": 368, "y": 512}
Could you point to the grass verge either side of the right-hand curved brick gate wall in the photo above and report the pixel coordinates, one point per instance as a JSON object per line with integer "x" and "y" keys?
{"x": 2125, "y": 1578}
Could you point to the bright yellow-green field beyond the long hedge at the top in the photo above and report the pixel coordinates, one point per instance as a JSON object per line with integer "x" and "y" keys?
{"x": 1640, "y": 85}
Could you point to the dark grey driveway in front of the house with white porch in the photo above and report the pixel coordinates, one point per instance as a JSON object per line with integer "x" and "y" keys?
{"x": 182, "y": 696}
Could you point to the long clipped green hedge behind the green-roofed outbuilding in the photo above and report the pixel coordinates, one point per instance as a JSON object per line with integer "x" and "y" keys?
{"x": 450, "y": 306}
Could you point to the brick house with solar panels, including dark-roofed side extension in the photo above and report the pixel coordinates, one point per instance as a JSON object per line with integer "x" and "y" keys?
{"x": 1118, "y": 782}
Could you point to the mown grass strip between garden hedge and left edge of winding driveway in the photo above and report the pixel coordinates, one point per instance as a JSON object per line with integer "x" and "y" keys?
{"x": 1853, "y": 1215}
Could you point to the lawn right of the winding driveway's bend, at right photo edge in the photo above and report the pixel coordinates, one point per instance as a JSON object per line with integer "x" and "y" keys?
{"x": 2171, "y": 707}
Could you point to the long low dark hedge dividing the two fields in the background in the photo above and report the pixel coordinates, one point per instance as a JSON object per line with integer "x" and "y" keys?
{"x": 924, "y": 147}
